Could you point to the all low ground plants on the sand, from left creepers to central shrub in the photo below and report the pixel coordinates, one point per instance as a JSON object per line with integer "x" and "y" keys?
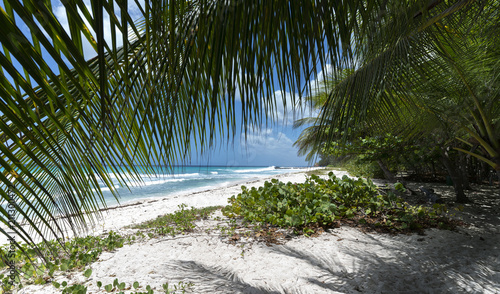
{"x": 267, "y": 213}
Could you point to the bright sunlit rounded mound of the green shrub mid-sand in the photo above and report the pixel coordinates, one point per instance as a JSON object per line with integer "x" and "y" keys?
{"x": 296, "y": 205}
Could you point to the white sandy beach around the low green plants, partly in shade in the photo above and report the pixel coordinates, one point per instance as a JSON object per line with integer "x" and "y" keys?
{"x": 343, "y": 260}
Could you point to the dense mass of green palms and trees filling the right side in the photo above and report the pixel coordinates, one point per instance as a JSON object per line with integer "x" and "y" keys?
{"x": 436, "y": 89}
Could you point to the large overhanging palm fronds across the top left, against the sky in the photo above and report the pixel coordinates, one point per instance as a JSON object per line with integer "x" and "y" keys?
{"x": 165, "y": 77}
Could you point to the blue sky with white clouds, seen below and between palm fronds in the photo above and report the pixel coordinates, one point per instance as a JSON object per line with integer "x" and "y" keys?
{"x": 272, "y": 145}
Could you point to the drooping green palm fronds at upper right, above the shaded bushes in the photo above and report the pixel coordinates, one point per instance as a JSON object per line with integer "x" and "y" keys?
{"x": 405, "y": 68}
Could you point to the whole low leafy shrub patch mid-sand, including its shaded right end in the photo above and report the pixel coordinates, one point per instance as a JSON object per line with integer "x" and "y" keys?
{"x": 321, "y": 202}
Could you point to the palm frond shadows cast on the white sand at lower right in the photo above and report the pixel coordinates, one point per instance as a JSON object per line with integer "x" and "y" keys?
{"x": 465, "y": 261}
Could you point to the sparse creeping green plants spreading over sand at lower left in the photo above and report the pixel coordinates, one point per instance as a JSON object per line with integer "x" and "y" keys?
{"x": 77, "y": 253}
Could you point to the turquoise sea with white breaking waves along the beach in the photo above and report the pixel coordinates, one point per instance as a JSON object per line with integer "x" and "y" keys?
{"x": 189, "y": 179}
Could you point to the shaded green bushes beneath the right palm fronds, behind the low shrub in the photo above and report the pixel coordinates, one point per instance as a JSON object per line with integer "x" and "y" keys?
{"x": 386, "y": 156}
